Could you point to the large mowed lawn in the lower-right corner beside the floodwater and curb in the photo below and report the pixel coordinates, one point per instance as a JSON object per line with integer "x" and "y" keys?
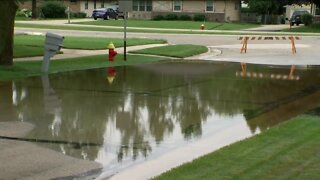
{"x": 288, "y": 151}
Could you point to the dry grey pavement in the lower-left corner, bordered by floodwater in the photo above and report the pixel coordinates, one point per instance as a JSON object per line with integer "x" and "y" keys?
{"x": 26, "y": 163}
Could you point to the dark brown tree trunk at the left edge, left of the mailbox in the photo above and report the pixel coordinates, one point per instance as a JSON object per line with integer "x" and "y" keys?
{"x": 6, "y": 31}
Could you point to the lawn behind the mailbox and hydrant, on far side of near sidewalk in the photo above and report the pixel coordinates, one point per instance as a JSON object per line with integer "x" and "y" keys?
{"x": 29, "y": 46}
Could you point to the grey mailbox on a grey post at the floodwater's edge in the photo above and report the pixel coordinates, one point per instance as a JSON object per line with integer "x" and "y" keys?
{"x": 53, "y": 44}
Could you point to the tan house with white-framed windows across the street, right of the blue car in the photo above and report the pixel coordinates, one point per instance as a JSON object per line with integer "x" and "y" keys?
{"x": 215, "y": 10}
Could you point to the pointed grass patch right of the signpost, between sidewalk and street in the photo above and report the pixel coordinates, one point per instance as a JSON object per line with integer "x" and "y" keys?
{"x": 179, "y": 51}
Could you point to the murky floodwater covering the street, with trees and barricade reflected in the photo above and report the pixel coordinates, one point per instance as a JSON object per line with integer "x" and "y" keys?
{"x": 165, "y": 114}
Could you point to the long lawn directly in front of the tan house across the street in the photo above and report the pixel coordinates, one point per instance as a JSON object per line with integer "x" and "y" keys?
{"x": 173, "y": 24}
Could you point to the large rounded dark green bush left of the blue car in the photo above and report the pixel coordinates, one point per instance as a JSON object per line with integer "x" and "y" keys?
{"x": 53, "y": 9}
